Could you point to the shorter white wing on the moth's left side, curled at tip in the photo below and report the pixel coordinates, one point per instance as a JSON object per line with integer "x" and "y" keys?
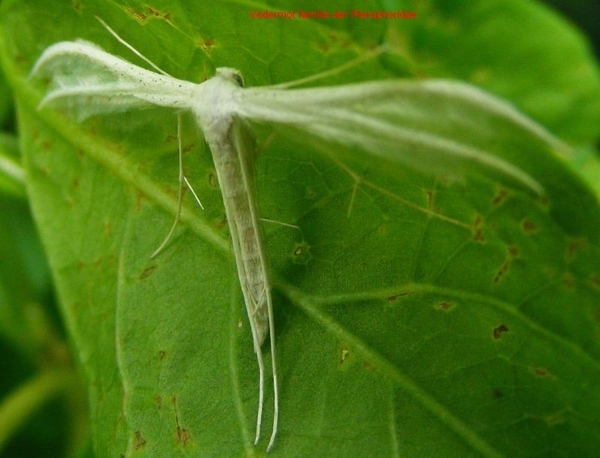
{"x": 88, "y": 81}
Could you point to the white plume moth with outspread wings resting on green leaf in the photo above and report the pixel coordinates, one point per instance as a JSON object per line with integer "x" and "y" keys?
{"x": 92, "y": 81}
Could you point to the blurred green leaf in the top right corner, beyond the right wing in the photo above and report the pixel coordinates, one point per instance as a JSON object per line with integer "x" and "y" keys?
{"x": 517, "y": 49}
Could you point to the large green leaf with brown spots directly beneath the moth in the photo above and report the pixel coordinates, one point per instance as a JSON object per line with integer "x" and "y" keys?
{"x": 414, "y": 316}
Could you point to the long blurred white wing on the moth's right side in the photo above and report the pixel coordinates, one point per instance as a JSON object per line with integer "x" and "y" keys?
{"x": 436, "y": 126}
